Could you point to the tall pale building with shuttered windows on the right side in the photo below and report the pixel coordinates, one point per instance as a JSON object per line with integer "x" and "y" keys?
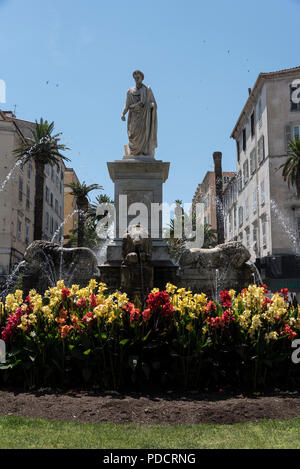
{"x": 260, "y": 209}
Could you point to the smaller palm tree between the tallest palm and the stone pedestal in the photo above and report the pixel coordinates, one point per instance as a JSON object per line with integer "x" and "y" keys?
{"x": 80, "y": 192}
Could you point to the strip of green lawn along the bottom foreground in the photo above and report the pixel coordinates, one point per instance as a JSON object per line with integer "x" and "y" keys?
{"x": 20, "y": 432}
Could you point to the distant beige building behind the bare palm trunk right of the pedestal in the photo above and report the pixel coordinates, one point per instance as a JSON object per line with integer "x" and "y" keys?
{"x": 206, "y": 194}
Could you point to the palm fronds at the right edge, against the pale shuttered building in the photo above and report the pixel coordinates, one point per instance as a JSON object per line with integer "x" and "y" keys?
{"x": 291, "y": 168}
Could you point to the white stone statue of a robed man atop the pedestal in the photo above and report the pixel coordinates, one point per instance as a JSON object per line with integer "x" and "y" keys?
{"x": 142, "y": 118}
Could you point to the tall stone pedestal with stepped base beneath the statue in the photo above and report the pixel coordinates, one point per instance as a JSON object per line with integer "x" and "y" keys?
{"x": 138, "y": 181}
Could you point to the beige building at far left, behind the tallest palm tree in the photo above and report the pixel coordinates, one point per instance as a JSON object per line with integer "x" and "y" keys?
{"x": 17, "y": 195}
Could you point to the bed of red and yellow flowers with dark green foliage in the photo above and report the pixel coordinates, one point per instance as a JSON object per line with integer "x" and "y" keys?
{"x": 83, "y": 337}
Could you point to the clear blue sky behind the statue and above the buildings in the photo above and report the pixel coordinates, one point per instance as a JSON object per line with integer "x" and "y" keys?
{"x": 199, "y": 57}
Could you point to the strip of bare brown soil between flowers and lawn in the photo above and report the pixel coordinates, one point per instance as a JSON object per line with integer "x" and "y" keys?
{"x": 83, "y": 406}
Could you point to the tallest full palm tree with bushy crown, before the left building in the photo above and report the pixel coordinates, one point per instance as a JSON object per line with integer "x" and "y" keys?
{"x": 43, "y": 148}
